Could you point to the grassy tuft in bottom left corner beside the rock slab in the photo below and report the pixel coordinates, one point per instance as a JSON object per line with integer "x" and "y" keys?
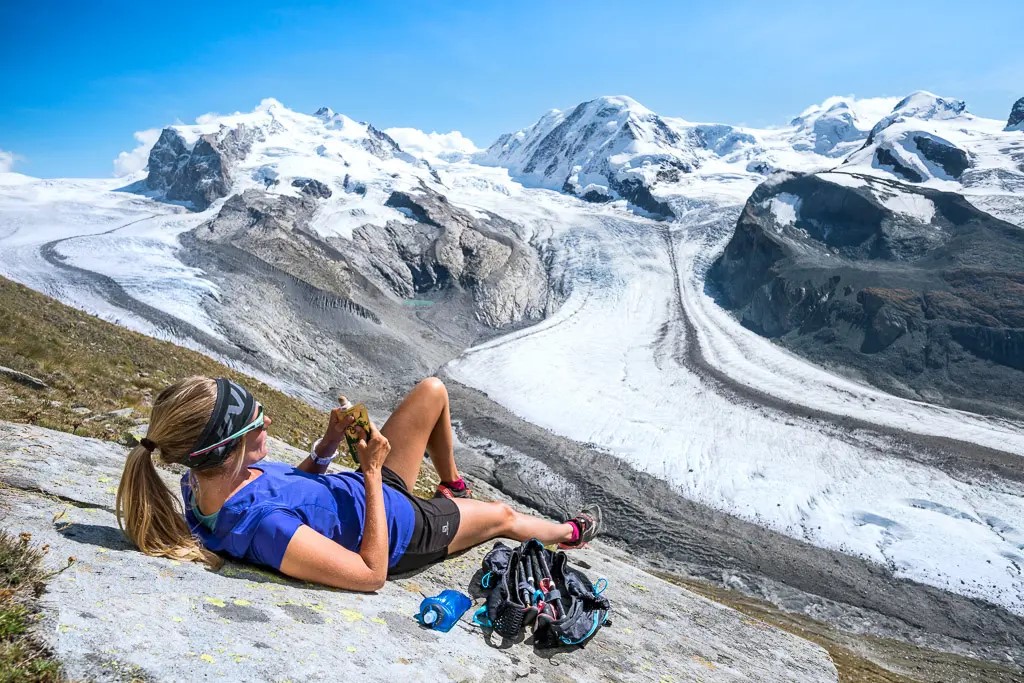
{"x": 23, "y": 658}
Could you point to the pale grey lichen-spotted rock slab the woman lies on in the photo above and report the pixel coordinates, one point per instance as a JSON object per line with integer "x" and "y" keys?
{"x": 117, "y": 614}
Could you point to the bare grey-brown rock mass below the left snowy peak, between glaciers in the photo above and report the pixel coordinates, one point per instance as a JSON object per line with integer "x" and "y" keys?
{"x": 394, "y": 302}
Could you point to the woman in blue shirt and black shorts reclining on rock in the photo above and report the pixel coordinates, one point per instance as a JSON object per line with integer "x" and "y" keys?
{"x": 350, "y": 530}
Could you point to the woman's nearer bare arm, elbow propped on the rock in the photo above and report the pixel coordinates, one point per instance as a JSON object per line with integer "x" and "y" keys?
{"x": 312, "y": 557}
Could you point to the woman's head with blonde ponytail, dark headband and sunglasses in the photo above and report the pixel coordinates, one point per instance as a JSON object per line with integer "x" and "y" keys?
{"x": 216, "y": 428}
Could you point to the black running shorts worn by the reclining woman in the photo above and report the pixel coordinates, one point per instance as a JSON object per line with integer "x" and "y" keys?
{"x": 437, "y": 524}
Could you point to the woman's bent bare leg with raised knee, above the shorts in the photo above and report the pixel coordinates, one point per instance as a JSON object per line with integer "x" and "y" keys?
{"x": 422, "y": 422}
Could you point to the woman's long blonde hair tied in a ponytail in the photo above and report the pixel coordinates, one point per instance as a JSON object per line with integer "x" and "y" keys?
{"x": 148, "y": 513}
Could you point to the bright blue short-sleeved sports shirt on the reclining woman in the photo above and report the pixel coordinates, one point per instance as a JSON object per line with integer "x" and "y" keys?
{"x": 258, "y": 523}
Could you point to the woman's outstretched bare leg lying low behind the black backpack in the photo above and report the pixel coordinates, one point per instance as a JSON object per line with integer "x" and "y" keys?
{"x": 481, "y": 522}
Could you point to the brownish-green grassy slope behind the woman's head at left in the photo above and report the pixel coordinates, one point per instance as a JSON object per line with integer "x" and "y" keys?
{"x": 92, "y": 365}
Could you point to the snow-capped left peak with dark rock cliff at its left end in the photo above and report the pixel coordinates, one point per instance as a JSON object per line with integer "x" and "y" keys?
{"x": 278, "y": 151}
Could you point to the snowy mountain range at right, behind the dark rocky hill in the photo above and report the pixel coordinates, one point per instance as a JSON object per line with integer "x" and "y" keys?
{"x": 615, "y": 148}
